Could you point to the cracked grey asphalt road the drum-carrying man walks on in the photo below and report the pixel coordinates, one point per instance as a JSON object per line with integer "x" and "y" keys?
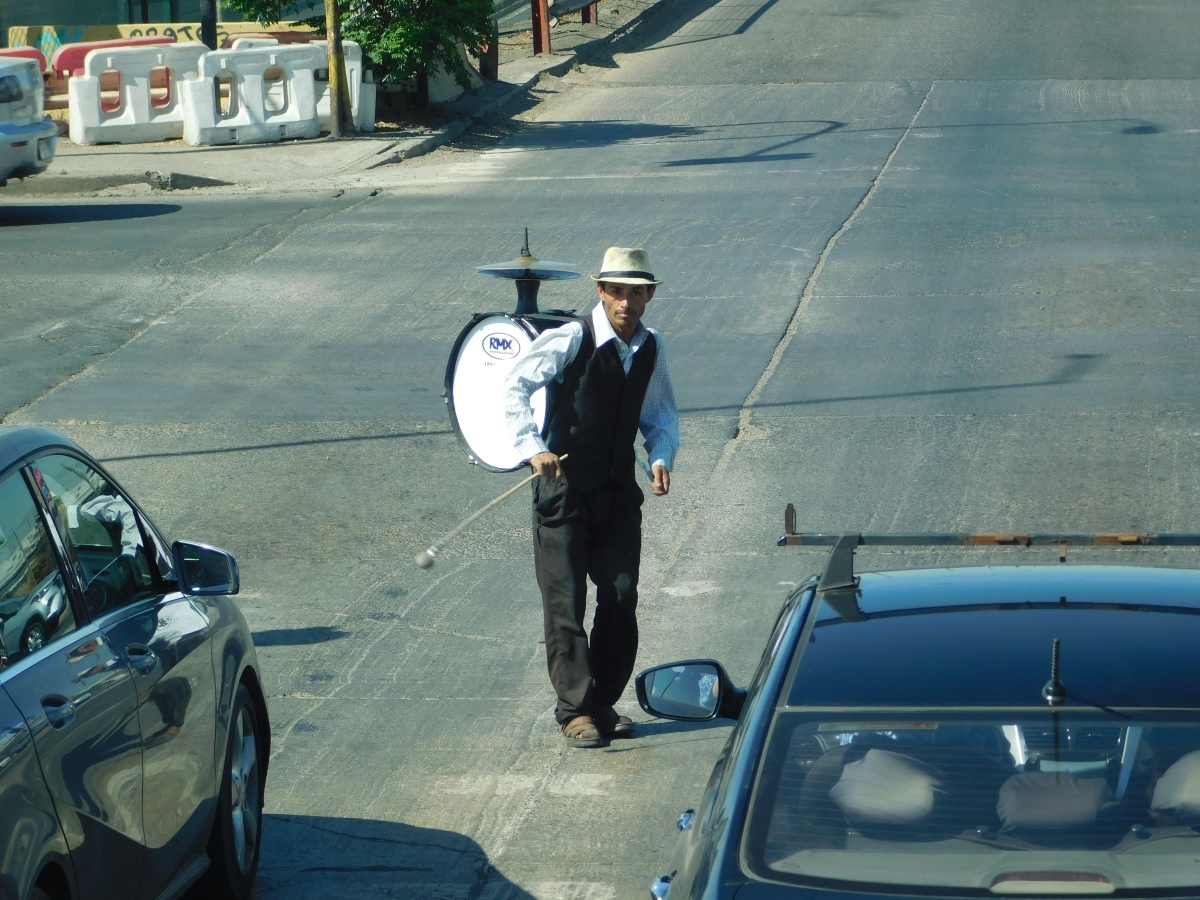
{"x": 928, "y": 263}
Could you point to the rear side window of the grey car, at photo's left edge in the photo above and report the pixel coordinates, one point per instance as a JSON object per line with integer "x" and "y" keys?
{"x": 34, "y": 604}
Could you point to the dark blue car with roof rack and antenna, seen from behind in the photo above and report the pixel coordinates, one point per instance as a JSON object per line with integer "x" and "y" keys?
{"x": 970, "y": 733}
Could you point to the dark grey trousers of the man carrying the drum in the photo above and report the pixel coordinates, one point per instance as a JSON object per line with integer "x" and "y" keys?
{"x": 579, "y": 536}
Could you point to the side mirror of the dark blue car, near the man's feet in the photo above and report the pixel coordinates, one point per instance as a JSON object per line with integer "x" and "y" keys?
{"x": 693, "y": 692}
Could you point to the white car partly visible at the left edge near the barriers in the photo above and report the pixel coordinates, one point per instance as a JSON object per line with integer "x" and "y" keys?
{"x": 28, "y": 139}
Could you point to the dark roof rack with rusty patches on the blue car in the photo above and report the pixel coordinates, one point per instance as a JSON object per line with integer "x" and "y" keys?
{"x": 839, "y": 585}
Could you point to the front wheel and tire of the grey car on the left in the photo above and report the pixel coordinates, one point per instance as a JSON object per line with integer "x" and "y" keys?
{"x": 237, "y": 833}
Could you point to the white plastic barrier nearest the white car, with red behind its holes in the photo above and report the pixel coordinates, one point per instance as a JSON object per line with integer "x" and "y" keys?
{"x": 141, "y": 98}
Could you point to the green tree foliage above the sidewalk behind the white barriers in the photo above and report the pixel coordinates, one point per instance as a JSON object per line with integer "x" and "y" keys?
{"x": 401, "y": 38}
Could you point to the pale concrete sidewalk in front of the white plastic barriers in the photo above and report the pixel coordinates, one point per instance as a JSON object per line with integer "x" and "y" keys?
{"x": 172, "y": 165}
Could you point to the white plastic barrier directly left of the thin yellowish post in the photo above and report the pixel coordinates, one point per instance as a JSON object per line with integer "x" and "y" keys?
{"x": 254, "y": 97}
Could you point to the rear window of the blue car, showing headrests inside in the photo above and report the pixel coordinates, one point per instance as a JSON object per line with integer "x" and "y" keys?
{"x": 1042, "y": 802}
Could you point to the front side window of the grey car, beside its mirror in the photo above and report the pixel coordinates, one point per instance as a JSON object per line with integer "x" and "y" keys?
{"x": 103, "y": 535}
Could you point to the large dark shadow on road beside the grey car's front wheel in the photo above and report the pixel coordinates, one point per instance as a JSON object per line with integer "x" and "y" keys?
{"x": 317, "y": 857}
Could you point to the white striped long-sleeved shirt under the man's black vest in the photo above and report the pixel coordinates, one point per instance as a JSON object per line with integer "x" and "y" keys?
{"x": 553, "y": 355}
